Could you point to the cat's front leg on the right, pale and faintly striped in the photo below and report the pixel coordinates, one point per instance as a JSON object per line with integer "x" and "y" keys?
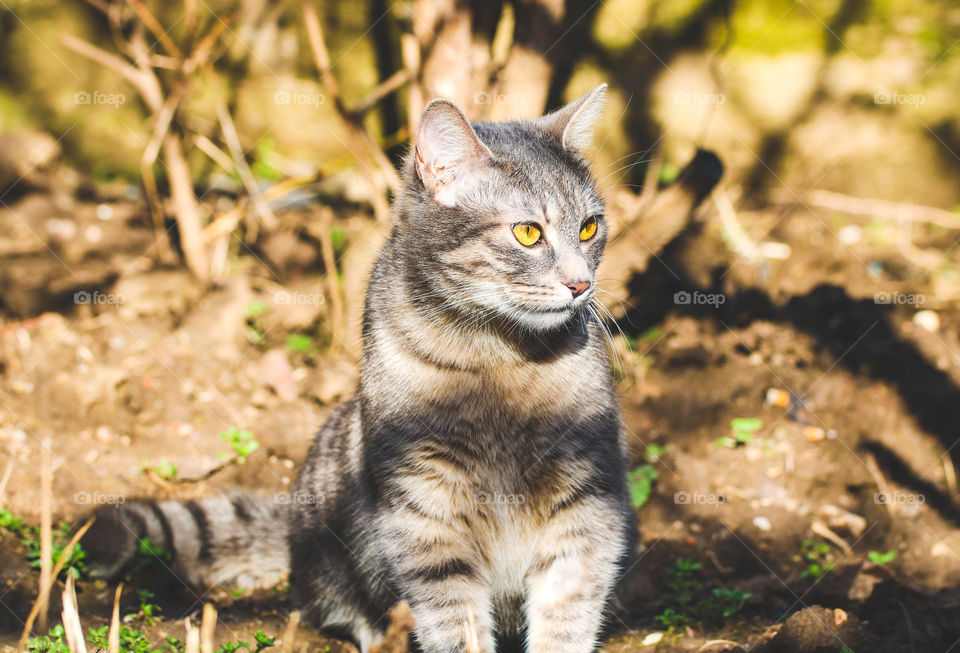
{"x": 569, "y": 588}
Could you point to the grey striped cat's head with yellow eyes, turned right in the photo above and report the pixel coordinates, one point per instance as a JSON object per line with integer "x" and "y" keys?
{"x": 504, "y": 219}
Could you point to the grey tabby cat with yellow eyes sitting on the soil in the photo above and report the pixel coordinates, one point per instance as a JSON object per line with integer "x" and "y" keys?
{"x": 480, "y": 472}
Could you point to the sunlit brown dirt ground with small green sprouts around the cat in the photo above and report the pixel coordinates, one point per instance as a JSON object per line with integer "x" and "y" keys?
{"x": 848, "y": 411}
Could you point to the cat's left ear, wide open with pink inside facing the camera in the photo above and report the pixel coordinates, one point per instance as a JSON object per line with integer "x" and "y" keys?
{"x": 448, "y": 155}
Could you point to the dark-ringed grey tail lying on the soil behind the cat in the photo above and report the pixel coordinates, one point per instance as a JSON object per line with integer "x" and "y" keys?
{"x": 236, "y": 539}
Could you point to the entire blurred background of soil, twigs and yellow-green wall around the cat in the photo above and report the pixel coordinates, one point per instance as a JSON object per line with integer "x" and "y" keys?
{"x": 192, "y": 193}
